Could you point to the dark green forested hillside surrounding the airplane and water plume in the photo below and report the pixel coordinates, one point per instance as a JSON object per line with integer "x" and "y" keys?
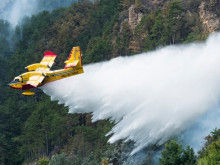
{"x": 36, "y": 129}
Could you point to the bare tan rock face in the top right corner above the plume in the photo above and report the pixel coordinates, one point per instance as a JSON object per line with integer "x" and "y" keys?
{"x": 209, "y": 19}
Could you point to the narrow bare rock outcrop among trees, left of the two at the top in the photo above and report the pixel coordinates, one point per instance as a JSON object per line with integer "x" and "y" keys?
{"x": 133, "y": 18}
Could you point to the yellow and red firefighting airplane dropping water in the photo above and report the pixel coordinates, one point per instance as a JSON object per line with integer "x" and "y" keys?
{"x": 40, "y": 74}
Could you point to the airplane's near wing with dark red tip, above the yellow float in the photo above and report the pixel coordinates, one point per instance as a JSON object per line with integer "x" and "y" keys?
{"x": 33, "y": 81}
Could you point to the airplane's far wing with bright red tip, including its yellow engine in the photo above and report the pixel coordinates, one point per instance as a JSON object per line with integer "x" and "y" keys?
{"x": 47, "y": 60}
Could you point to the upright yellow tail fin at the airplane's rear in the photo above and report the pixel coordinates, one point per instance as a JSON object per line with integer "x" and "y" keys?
{"x": 75, "y": 58}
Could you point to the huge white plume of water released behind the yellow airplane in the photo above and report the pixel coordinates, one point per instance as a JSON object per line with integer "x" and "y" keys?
{"x": 151, "y": 96}
